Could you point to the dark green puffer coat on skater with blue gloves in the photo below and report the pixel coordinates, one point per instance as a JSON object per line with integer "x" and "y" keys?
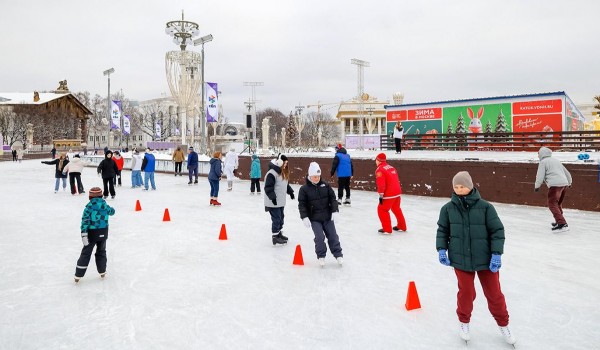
{"x": 470, "y": 229}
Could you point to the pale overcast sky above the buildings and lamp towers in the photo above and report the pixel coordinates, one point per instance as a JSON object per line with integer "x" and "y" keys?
{"x": 301, "y": 50}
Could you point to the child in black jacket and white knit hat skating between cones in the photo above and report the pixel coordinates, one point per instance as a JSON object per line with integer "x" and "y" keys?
{"x": 318, "y": 210}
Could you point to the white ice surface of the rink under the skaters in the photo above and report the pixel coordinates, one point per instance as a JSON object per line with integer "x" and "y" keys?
{"x": 174, "y": 285}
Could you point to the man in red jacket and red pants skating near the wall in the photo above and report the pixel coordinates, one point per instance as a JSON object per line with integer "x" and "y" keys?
{"x": 389, "y": 189}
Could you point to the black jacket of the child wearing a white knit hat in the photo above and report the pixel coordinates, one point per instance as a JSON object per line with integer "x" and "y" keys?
{"x": 317, "y": 201}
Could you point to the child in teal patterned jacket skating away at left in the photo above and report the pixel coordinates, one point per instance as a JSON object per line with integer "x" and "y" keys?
{"x": 94, "y": 232}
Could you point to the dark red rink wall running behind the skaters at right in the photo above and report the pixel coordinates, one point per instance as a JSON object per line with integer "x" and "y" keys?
{"x": 497, "y": 182}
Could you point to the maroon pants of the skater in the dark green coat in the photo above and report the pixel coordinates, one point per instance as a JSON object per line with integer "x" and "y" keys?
{"x": 490, "y": 283}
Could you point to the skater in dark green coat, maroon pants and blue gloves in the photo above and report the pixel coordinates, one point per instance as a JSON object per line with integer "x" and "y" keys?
{"x": 470, "y": 238}
